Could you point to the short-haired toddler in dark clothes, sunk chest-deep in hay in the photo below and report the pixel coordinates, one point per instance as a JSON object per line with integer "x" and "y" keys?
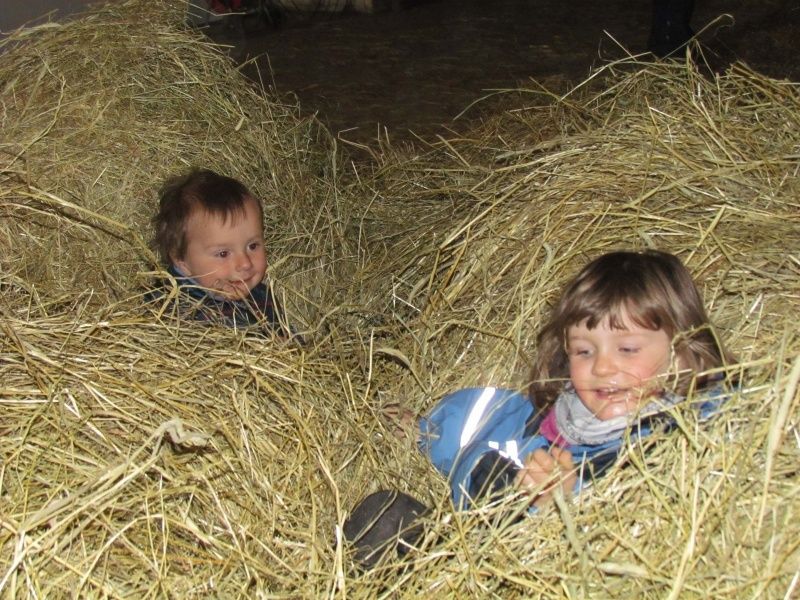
{"x": 209, "y": 230}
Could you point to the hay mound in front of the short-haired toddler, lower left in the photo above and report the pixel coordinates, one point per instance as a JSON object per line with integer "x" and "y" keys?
{"x": 139, "y": 459}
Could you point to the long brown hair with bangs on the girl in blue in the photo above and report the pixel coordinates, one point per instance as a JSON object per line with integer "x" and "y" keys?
{"x": 655, "y": 290}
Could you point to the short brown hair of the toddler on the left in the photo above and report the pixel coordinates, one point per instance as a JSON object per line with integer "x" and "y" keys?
{"x": 180, "y": 196}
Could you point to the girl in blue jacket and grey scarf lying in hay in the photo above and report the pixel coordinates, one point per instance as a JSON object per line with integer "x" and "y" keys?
{"x": 625, "y": 342}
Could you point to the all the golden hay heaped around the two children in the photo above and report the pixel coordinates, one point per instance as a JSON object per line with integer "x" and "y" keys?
{"x": 143, "y": 457}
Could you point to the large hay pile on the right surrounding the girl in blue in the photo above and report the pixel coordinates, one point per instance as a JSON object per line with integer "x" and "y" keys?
{"x": 658, "y": 157}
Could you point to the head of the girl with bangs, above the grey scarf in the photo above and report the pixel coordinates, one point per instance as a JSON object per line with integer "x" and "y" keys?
{"x": 621, "y": 306}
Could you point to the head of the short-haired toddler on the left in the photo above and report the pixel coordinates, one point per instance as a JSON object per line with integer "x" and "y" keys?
{"x": 211, "y": 228}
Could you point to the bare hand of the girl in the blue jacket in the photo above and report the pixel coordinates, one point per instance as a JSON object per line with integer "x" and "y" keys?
{"x": 542, "y": 468}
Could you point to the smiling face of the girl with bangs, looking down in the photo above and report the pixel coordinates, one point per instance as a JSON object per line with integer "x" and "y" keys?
{"x": 614, "y": 371}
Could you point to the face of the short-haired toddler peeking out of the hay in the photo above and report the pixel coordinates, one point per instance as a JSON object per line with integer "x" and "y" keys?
{"x": 226, "y": 257}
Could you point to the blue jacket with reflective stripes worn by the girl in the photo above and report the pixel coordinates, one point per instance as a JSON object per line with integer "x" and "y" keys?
{"x": 470, "y": 426}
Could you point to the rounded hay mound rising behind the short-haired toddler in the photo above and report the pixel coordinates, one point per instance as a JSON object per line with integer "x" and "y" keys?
{"x": 97, "y": 112}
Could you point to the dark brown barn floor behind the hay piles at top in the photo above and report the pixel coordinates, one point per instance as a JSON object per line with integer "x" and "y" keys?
{"x": 414, "y": 70}
